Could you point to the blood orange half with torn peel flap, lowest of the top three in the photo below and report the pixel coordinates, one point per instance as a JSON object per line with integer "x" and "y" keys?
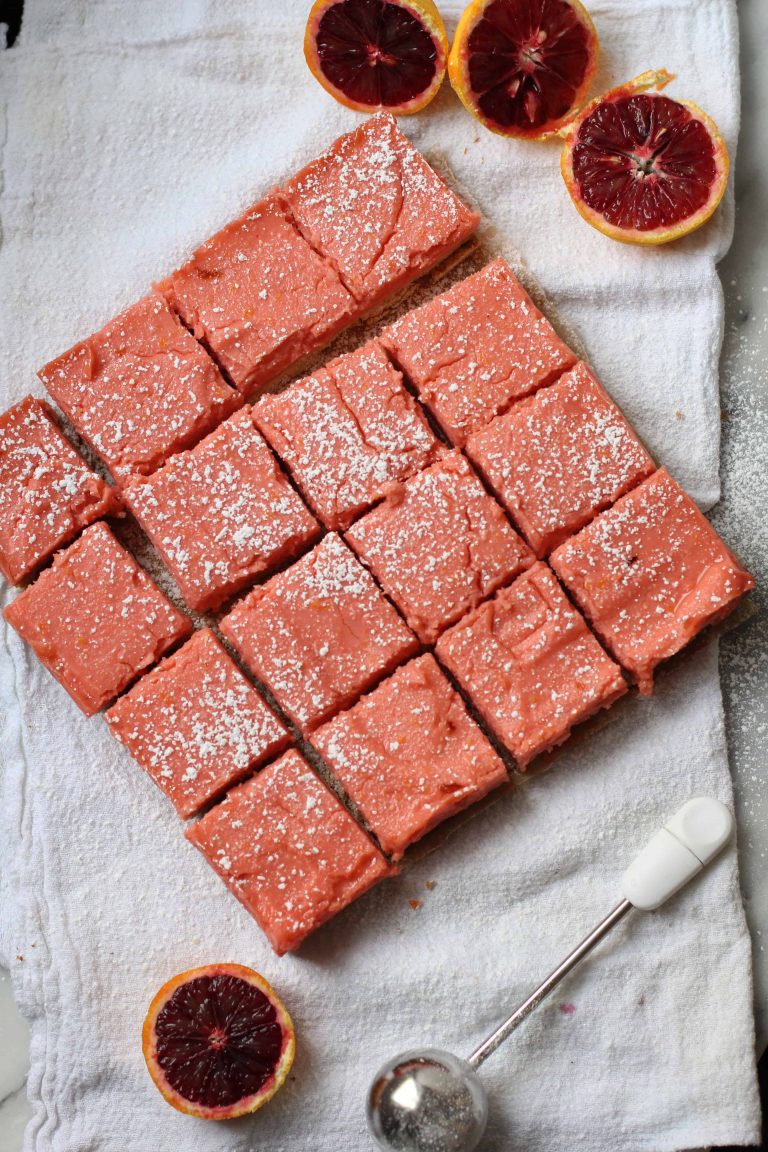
{"x": 644, "y": 169}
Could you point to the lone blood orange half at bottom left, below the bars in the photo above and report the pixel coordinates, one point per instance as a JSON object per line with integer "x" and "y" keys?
{"x": 218, "y": 1042}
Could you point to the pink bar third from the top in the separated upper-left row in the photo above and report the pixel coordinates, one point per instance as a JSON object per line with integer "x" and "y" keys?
{"x": 140, "y": 390}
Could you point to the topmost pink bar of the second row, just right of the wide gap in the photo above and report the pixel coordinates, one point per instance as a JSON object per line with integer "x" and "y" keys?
{"x": 476, "y": 348}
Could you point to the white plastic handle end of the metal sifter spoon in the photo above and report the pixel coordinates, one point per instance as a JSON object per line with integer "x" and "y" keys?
{"x": 678, "y": 853}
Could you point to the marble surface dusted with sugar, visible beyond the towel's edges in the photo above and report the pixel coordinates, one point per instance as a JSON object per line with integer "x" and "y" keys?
{"x": 742, "y": 513}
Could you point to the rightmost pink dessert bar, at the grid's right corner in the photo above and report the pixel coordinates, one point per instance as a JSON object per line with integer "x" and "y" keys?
{"x": 651, "y": 573}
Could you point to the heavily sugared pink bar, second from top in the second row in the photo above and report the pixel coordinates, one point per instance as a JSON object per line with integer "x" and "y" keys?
{"x": 346, "y": 433}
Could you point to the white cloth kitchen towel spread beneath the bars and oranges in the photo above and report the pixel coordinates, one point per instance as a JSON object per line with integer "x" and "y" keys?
{"x": 132, "y": 132}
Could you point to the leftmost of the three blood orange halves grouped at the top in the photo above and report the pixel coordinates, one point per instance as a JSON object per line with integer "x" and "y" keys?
{"x": 375, "y": 55}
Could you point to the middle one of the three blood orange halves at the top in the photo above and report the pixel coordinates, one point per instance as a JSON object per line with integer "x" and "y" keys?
{"x": 523, "y": 67}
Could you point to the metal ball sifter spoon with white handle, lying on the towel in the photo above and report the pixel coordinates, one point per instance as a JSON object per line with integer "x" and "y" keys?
{"x": 428, "y": 1101}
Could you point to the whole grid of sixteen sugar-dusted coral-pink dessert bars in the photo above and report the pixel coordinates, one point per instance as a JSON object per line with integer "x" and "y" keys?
{"x": 452, "y": 545}
